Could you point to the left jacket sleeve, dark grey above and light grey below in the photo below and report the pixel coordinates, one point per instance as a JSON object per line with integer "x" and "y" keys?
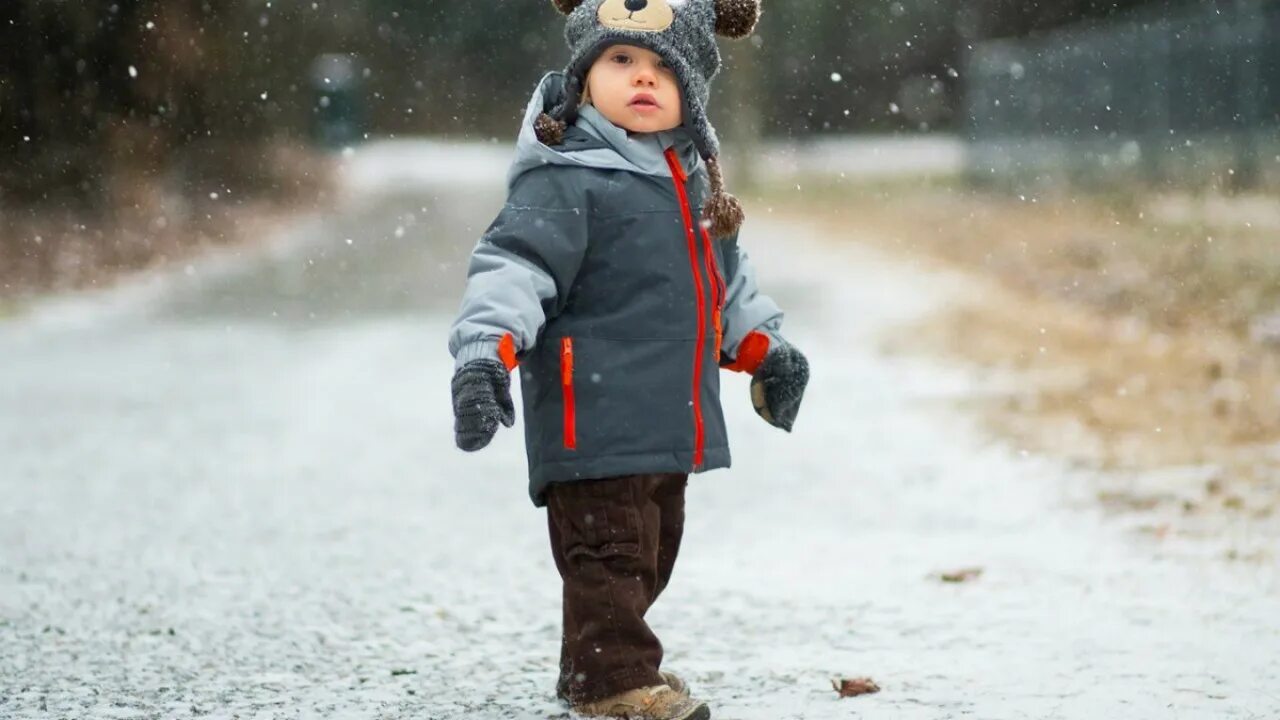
{"x": 522, "y": 268}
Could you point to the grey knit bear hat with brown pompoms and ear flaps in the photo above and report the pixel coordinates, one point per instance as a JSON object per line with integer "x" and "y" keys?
{"x": 684, "y": 34}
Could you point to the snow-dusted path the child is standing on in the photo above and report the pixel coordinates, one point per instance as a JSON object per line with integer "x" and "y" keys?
{"x": 239, "y": 496}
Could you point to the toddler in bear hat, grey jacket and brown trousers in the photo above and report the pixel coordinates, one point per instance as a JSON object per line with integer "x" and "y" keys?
{"x": 614, "y": 280}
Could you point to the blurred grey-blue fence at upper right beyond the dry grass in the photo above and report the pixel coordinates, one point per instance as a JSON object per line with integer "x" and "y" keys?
{"x": 1187, "y": 99}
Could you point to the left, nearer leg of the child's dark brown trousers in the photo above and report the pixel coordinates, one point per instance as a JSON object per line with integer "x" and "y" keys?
{"x": 605, "y": 540}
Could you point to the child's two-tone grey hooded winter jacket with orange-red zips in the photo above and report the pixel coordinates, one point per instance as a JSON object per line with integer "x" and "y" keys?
{"x": 619, "y": 308}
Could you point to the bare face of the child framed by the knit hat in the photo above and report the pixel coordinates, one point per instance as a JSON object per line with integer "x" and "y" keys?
{"x": 619, "y": 83}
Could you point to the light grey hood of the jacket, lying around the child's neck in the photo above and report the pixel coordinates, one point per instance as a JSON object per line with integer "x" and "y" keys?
{"x": 638, "y": 153}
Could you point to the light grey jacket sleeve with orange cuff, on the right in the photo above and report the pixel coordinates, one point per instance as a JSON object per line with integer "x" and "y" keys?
{"x": 752, "y": 322}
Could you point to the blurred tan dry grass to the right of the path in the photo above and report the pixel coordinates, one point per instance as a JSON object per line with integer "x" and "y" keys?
{"x": 1133, "y": 322}
